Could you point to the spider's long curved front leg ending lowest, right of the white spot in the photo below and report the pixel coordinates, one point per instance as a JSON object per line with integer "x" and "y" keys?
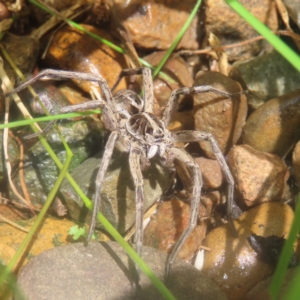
{"x": 184, "y": 157}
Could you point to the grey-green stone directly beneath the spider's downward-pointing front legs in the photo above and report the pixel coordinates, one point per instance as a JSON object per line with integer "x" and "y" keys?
{"x": 117, "y": 194}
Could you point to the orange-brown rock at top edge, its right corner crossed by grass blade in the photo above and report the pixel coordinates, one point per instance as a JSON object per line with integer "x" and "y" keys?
{"x": 156, "y": 24}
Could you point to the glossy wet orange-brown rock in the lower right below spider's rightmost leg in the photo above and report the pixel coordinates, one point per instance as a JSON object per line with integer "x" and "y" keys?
{"x": 232, "y": 263}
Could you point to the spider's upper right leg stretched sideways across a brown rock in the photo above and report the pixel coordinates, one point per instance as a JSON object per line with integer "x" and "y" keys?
{"x": 172, "y": 103}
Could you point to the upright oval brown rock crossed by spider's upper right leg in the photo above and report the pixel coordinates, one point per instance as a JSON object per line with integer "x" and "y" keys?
{"x": 221, "y": 116}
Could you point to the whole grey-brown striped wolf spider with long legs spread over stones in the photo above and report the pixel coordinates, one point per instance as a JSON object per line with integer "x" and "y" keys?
{"x": 135, "y": 130}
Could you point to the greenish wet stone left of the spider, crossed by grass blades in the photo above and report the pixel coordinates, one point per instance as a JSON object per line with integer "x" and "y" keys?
{"x": 40, "y": 171}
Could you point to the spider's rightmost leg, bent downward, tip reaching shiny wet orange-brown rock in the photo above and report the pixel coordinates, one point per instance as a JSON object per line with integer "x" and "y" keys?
{"x": 187, "y": 136}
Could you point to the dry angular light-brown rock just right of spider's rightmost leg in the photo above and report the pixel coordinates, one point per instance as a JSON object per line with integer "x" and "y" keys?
{"x": 259, "y": 177}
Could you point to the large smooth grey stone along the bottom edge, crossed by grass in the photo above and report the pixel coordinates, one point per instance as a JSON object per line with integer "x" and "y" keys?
{"x": 101, "y": 271}
